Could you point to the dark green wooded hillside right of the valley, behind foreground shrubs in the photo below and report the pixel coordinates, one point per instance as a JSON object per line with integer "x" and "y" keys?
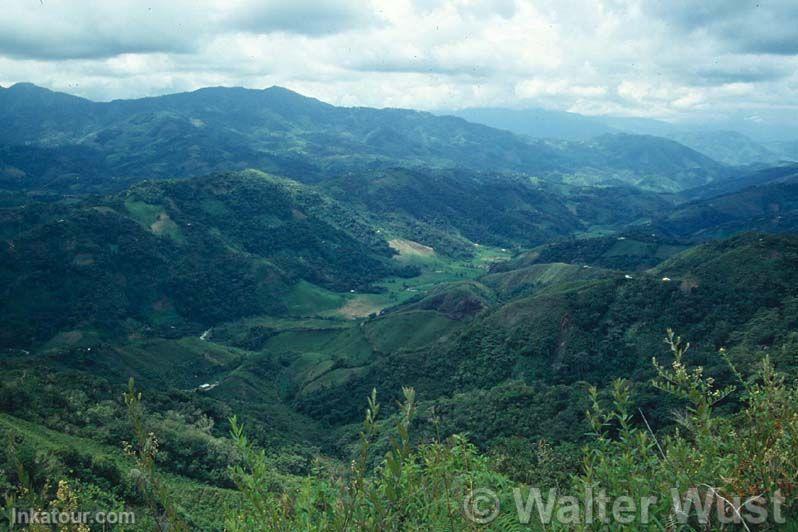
{"x": 559, "y": 324}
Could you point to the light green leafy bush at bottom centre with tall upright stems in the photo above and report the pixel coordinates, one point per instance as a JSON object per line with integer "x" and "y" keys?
{"x": 412, "y": 488}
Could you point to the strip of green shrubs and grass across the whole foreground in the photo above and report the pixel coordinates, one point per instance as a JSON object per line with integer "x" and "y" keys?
{"x": 445, "y": 483}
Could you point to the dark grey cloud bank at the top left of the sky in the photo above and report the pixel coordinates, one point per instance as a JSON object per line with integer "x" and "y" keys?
{"x": 88, "y": 29}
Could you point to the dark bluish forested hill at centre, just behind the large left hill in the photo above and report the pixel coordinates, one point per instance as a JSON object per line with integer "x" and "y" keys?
{"x": 511, "y": 211}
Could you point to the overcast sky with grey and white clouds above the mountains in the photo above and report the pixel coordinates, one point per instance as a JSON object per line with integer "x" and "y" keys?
{"x": 674, "y": 59}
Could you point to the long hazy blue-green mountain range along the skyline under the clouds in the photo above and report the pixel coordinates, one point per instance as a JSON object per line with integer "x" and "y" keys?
{"x": 279, "y": 131}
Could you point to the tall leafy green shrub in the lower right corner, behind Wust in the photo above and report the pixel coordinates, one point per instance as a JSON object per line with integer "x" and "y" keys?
{"x": 731, "y": 462}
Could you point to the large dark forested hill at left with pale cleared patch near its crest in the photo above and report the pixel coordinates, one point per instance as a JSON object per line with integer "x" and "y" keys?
{"x": 179, "y": 254}
